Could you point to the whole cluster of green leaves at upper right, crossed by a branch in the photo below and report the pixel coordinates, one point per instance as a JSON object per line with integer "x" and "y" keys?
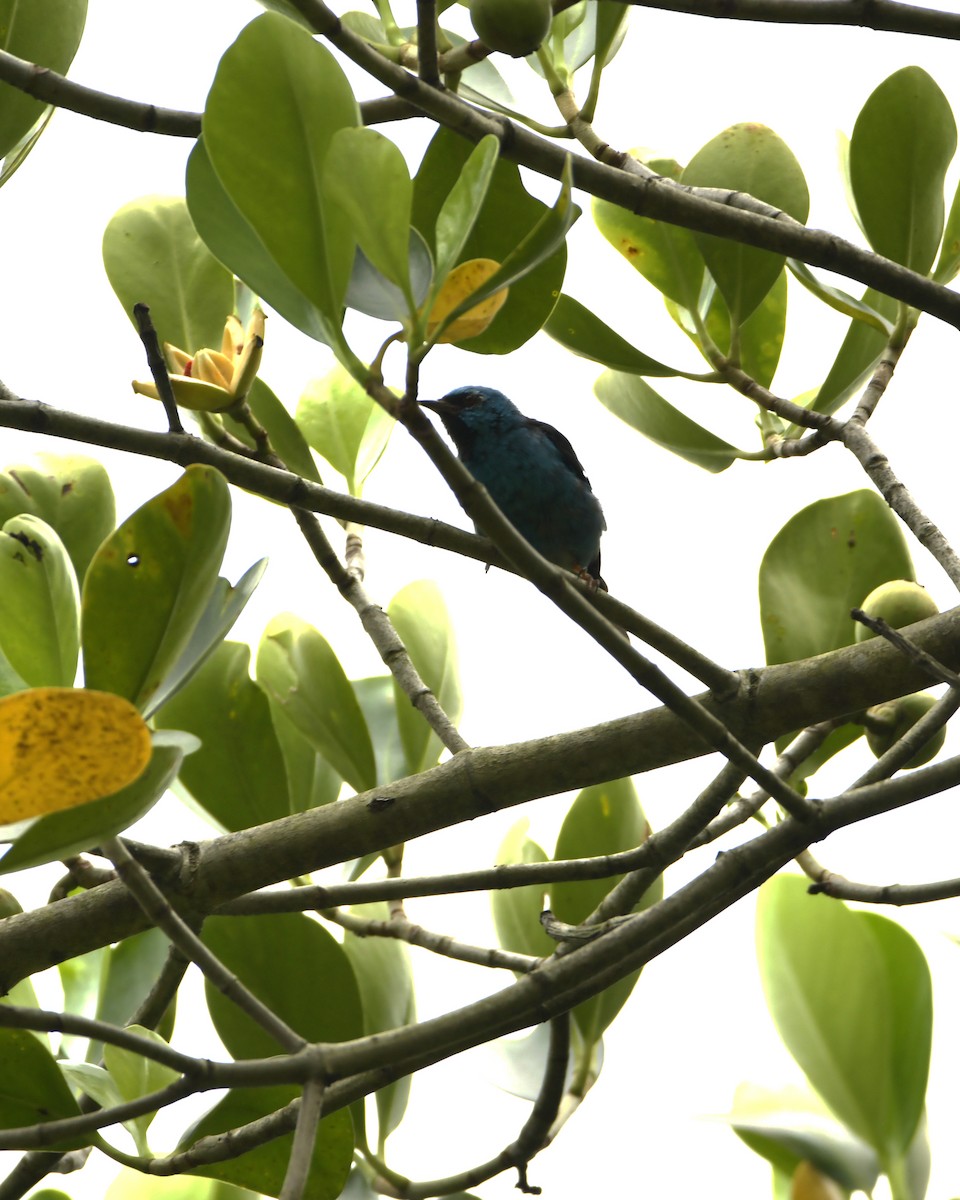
{"x": 731, "y": 301}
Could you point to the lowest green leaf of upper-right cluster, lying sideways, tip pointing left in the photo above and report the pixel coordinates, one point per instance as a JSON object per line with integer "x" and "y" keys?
{"x": 634, "y": 401}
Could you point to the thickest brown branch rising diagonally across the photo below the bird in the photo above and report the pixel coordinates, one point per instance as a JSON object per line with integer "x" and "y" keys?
{"x": 772, "y": 701}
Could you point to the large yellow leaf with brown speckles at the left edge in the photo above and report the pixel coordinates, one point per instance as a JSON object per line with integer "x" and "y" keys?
{"x": 62, "y": 747}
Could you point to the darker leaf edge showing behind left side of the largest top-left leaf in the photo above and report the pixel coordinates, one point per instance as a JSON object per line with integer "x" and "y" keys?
{"x": 231, "y": 237}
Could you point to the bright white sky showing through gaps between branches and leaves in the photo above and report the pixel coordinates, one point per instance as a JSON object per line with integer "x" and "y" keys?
{"x": 683, "y": 547}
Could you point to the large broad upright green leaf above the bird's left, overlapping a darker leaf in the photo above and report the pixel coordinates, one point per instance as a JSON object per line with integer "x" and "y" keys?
{"x": 290, "y": 98}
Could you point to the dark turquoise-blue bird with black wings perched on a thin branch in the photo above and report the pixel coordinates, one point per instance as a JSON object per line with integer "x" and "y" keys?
{"x": 532, "y": 475}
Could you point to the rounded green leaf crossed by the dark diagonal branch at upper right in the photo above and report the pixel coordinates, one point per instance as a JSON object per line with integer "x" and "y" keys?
{"x": 749, "y": 159}
